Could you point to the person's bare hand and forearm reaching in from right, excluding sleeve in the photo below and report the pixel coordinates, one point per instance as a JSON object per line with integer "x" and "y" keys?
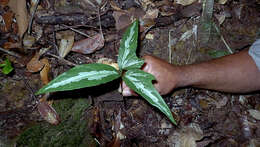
{"x": 235, "y": 73}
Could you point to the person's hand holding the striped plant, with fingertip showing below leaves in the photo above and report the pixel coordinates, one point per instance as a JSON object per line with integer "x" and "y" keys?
{"x": 165, "y": 74}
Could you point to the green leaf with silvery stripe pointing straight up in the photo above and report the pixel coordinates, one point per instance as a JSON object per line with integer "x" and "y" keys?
{"x": 127, "y": 58}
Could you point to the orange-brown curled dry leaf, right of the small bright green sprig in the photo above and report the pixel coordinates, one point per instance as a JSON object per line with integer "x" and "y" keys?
{"x": 35, "y": 65}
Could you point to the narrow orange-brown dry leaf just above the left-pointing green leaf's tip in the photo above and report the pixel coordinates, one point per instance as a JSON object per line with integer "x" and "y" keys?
{"x": 44, "y": 72}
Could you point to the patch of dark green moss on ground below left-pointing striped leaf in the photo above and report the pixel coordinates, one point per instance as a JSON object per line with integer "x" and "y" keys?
{"x": 71, "y": 132}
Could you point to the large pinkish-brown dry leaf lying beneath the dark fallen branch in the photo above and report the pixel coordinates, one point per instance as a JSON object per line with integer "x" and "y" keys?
{"x": 89, "y": 45}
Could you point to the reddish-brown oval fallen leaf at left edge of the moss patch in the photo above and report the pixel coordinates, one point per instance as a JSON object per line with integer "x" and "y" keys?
{"x": 48, "y": 113}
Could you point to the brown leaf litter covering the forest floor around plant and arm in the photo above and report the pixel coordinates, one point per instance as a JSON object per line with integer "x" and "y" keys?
{"x": 218, "y": 119}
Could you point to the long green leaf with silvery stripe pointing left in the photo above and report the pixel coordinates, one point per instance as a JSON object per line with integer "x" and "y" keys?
{"x": 81, "y": 76}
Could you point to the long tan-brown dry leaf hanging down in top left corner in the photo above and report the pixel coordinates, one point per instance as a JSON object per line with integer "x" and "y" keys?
{"x": 21, "y": 15}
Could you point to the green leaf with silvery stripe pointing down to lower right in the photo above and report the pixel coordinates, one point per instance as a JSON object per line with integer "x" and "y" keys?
{"x": 141, "y": 82}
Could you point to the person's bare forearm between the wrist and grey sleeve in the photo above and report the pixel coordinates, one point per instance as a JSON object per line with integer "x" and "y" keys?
{"x": 235, "y": 73}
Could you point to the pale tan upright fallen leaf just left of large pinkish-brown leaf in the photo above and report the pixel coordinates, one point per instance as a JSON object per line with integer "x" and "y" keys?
{"x": 66, "y": 45}
